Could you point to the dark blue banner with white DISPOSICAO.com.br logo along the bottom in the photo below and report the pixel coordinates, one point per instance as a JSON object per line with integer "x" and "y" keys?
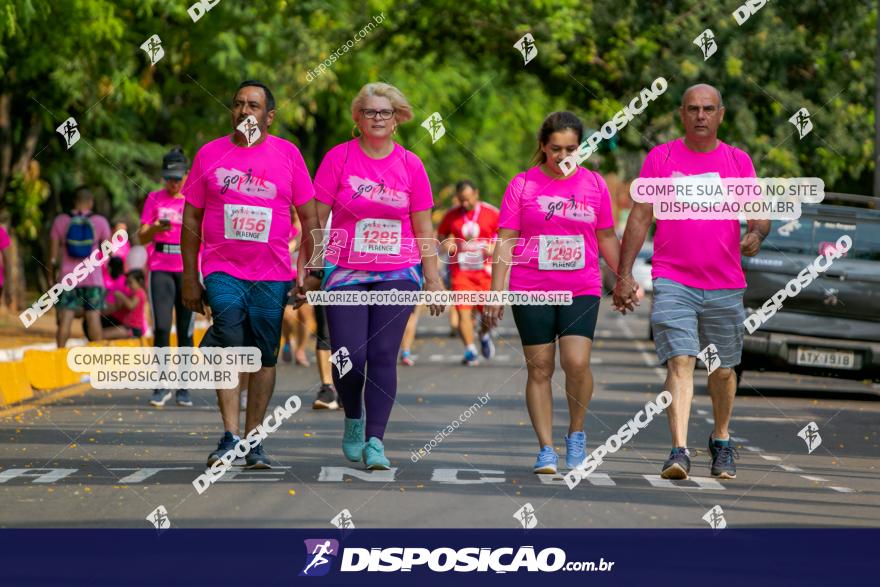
{"x": 438, "y": 557}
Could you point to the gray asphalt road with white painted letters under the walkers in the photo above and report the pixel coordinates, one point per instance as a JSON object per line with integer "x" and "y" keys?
{"x": 108, "y": 459}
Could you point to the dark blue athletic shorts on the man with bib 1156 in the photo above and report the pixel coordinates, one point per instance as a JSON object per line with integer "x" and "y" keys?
{"x": 246, "y": 313}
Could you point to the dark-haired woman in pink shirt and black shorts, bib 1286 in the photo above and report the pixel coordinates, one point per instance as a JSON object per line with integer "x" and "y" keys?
{"x": 552, "y": 228}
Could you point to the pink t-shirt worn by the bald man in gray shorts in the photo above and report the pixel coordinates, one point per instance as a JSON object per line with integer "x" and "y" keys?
{"x": 698, "y": 253}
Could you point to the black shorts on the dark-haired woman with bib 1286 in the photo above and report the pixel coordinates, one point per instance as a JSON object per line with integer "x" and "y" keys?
{"x": 544, "y": 324}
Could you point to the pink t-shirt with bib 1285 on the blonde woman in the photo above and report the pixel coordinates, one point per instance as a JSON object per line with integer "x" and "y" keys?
{"x": 372, "y": 200}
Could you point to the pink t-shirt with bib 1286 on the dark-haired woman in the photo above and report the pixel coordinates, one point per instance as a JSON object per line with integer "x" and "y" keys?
{"x": 557, "y": 220}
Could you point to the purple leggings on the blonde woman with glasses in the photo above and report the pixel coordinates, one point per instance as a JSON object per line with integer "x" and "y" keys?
{"x": 372, "y": 336}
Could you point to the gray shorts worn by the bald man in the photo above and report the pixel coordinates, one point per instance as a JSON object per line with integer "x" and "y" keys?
{"x": 686, "y": 320}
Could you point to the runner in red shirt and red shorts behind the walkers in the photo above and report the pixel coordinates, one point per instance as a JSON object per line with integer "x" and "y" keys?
{"x": 467, "y": 233}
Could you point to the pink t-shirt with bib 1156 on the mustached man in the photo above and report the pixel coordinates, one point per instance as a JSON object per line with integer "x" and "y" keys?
{"x": 247, "y": 193}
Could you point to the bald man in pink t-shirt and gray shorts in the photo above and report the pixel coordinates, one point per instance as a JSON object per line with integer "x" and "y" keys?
{"x": 698, "y": 279}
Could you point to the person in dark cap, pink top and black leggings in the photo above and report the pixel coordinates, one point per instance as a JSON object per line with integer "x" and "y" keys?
{"x": 161, "y": 225}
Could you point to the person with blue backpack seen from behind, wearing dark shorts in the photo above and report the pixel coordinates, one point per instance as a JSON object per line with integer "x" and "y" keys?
{"x": 74, "y": 237}
